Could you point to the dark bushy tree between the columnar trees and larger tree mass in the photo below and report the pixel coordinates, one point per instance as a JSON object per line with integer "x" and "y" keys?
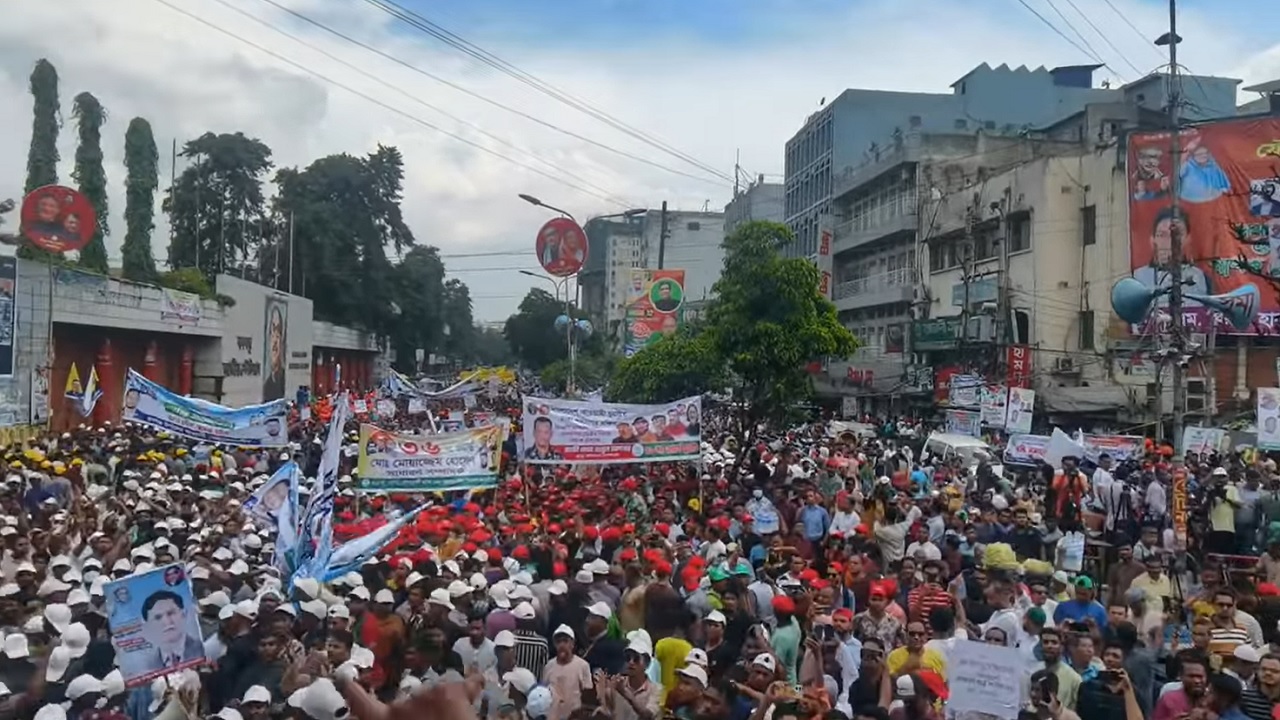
{"x": 217, "y": 206}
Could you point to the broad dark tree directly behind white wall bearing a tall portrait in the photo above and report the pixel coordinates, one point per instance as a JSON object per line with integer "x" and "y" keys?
{"x": 345, "y": 215}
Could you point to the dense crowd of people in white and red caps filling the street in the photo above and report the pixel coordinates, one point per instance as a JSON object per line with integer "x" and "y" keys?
{"x": 794, "y": 575}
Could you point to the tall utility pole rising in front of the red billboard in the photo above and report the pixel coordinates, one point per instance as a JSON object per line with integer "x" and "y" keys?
{"x": 1176, "y": 235}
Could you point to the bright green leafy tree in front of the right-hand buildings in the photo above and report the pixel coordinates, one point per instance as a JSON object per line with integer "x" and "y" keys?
{"x": 769, "y": 321}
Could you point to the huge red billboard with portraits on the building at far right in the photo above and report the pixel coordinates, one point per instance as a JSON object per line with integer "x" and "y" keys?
{"x": 1228, "y": 213}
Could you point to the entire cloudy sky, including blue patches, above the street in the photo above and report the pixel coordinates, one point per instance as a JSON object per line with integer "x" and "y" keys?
{"x": 676, "y": 89}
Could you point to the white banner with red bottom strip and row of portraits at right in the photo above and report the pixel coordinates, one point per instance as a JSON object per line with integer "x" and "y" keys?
{"x": 595, "y": 434}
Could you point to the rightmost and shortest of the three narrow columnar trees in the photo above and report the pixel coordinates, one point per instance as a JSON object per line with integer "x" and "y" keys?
{"x": 143, "y": 179}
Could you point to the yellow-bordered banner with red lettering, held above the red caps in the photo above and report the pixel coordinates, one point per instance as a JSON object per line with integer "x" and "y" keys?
{"x": 394, "y": 462}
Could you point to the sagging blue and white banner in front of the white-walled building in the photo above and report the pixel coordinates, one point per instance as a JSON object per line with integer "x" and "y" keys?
{"x": 253, "y": 426}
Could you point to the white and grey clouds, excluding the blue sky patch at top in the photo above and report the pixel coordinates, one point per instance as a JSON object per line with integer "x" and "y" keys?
{"x": 141, "y": 58}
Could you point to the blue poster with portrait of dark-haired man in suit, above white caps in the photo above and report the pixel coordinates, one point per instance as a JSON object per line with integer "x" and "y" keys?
{"x": 154, "y": 625}
